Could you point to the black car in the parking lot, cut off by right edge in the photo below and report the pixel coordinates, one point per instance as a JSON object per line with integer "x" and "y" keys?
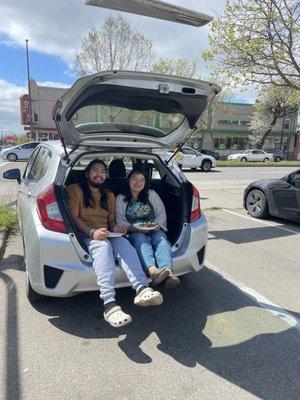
{"x": 276, "y": 197}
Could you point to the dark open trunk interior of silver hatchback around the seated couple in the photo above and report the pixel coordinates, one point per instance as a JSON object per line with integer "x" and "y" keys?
{"x": 176, "y": 196}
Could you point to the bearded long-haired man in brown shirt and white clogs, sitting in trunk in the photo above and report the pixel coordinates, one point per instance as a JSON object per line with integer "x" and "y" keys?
{"x": 92, "y": 208}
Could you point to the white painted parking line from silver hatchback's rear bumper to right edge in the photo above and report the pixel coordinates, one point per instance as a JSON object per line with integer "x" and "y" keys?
{"x": 257, "y": 297}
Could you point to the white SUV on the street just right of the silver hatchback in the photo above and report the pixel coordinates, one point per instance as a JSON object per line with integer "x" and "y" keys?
{"x": 193, "y": 159}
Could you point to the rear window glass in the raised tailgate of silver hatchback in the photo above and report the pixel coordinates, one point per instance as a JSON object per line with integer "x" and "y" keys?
{"x": 103, "y": 118}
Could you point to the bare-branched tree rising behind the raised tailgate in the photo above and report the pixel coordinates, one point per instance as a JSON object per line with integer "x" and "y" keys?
{"x": 115, "y": 45}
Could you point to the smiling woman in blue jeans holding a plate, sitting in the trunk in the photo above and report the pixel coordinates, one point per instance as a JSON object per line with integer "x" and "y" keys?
{"x": 143, "y": 213}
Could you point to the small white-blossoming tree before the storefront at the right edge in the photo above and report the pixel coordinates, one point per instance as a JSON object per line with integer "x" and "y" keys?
{"x": 273, "y": 103}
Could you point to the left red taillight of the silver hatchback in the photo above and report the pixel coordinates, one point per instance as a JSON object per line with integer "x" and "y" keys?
{"x": 49, "y": 212}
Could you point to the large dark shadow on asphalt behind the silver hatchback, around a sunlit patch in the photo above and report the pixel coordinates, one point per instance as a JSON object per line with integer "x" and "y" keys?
{"x": 192, "y": 326}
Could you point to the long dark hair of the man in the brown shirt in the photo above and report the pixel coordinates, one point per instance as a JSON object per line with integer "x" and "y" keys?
{"x": 87, "y": 195}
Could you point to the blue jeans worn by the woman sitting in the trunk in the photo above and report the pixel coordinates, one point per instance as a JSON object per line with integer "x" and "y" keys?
{"x": 153, "y": 248}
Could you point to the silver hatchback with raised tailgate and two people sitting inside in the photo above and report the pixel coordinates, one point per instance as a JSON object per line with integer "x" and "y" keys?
{"x": 57, "y": 261}
